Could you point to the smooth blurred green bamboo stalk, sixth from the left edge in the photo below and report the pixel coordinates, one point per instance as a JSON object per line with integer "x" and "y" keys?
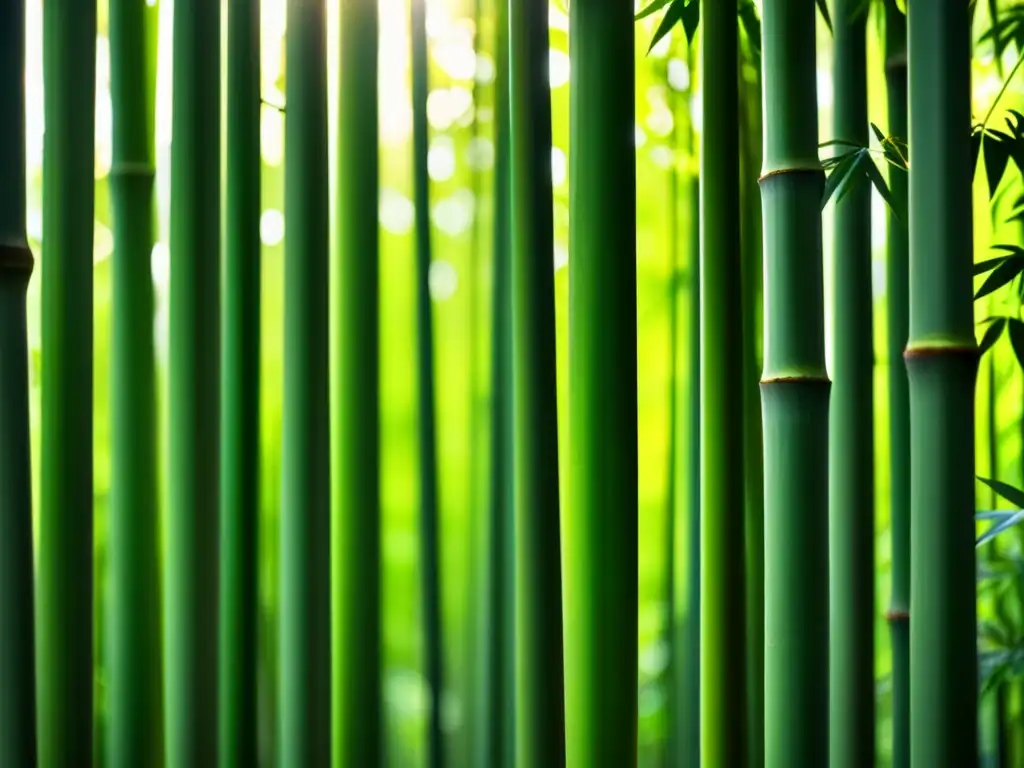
{"x": 305, "y": 727}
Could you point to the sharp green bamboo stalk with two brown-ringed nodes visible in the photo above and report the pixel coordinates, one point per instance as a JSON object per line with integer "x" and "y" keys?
{"x": 795, "y": 394}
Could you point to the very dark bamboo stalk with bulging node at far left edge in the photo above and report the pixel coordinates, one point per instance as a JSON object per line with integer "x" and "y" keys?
{"x": 18, "y": 677}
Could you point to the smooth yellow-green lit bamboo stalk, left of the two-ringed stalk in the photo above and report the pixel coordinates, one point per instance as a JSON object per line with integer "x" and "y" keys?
{"x": 723, "y": 605}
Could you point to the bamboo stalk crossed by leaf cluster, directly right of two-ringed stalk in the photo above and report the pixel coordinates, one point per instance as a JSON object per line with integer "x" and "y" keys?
{"x": 851, "y": 449}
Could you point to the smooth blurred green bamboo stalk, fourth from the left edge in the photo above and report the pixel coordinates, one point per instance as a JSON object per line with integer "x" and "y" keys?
{"x": 191, "y": 603}
